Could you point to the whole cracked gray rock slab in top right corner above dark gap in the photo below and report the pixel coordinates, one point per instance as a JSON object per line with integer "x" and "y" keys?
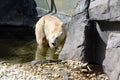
{"x": 105, "y": 10}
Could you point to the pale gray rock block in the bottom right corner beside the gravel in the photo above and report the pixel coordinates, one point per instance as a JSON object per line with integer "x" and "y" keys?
{"x": 112, "y": 63}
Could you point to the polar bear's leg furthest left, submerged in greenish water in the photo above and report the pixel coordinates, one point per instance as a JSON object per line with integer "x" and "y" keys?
{"x": 41, "y": 52}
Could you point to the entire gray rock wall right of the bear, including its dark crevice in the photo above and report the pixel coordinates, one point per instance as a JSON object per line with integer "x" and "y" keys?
{"x": 93, "y": 35}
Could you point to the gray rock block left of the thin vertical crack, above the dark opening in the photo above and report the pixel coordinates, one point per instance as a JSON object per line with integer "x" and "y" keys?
{"x": 99, "y": 10}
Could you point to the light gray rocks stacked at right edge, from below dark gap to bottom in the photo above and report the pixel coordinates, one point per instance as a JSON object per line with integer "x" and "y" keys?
{"x": 112, "y": 61}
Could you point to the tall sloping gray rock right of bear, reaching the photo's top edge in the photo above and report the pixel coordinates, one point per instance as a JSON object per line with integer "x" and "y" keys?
{"x": 75, "y": 37}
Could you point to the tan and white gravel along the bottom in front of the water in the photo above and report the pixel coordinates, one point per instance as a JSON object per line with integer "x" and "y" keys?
{"x": 59, "y": 70}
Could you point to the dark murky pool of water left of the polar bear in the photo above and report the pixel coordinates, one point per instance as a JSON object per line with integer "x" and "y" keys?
{"x": 17, "y": 43}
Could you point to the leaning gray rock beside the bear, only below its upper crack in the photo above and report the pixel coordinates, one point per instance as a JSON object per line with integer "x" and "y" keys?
{"x": 75, "y": 37}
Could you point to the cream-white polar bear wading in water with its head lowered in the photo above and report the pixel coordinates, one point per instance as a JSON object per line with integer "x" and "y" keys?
{"x": 50, "y": 35}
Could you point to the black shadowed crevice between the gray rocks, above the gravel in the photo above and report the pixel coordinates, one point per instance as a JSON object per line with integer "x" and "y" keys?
{"x": 94, "y": 47}
